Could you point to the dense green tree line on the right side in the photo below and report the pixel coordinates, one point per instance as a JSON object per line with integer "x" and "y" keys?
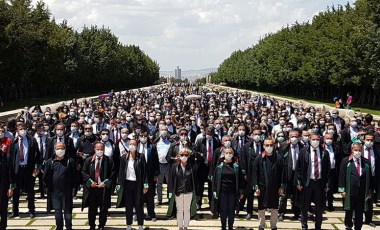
{"x": 337, "y": 52}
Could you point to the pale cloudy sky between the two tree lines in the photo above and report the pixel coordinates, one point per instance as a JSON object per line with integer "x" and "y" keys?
{"x": 192, "y": 34}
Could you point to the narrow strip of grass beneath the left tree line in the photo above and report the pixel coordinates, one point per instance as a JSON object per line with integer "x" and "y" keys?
{"x": 20, "y": 104}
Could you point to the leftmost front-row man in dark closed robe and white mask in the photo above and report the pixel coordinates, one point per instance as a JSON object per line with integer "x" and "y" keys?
{"x": 59, "y": 179}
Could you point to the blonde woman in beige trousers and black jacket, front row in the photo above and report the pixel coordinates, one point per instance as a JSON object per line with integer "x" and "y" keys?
{"x": 181, "y": 189}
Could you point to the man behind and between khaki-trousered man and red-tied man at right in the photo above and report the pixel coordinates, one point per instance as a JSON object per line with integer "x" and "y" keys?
{"x": 290, "y": 153}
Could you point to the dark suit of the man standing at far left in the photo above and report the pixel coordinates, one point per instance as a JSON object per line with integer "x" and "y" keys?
{"x": 24, "y": 173}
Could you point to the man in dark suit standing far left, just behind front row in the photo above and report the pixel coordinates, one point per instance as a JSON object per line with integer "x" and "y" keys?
{"x": 26, "y": 160}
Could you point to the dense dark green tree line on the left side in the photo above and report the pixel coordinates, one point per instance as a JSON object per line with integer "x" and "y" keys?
{"x": 40, "y": 57}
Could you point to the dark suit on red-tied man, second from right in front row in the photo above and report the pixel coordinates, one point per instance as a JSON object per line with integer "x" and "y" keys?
{"x": 312, "y": 189}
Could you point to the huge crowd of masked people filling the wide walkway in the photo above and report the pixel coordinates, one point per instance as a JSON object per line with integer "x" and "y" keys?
{"x": 244, "y": 146}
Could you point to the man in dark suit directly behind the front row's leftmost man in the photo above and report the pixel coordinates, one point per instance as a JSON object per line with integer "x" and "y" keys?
{"x": 60, "y": 137}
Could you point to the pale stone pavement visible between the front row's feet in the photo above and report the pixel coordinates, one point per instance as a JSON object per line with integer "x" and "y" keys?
{"x": 43, "y": 221}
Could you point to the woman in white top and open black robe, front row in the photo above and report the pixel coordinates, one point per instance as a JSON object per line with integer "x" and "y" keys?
{"x": 132, "y": 184}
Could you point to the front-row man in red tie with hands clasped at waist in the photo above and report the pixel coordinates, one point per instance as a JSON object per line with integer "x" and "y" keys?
{"x": 97, "y": 176}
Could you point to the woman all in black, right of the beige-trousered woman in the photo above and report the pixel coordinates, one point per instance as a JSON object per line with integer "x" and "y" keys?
{"x": 227, "y": 187}
